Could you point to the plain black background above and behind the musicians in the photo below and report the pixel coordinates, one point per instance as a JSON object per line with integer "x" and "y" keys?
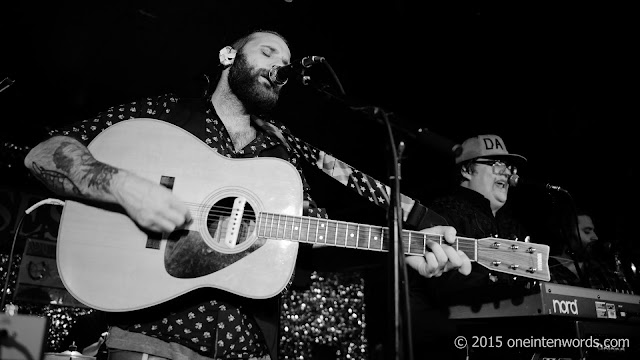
{"x": 554, "y": 79}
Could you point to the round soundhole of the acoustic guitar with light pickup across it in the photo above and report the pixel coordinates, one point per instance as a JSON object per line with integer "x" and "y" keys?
{"x": 230, "y": 225}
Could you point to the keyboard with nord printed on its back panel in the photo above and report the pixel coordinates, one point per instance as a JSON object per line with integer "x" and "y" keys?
{"x": 558, "y": 300}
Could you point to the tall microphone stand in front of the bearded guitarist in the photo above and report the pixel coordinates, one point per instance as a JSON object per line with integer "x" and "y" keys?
{"x": 399, "y": 294}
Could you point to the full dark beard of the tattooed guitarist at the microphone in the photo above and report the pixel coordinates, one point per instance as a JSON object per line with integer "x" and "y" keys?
{"x": 244, "y": 82}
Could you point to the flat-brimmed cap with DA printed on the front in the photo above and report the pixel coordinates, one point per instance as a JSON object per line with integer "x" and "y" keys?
{"x": 487, "y": 146}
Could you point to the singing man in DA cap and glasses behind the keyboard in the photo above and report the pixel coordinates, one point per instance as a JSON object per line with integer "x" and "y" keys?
{"x": 476, "y": 210}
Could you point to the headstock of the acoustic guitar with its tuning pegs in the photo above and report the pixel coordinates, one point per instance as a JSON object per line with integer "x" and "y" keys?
{"x": 514, "y": 257}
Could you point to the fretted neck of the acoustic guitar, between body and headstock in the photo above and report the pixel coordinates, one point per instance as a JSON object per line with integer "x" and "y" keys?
{"x": 351, "y": 235}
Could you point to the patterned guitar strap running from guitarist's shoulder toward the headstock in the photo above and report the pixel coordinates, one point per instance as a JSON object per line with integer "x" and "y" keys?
{"x": 414, "y": 214}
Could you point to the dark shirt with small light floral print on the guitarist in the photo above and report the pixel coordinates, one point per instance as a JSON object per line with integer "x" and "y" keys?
{"x": 214, "y": 327}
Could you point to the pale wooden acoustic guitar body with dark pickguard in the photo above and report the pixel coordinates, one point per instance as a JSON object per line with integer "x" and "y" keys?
{"x": 108, "y": 263}
